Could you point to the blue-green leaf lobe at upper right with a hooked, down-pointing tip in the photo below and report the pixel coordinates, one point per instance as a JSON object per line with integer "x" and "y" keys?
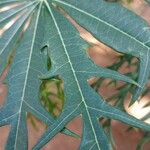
{"x": 117, "y": 27}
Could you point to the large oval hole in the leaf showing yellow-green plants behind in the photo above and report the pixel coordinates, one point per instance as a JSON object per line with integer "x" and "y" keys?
{"x": 52, "y": 95}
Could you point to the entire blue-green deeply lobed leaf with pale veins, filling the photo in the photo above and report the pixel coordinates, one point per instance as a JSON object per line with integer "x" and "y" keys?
{"x": 38, "y": 23}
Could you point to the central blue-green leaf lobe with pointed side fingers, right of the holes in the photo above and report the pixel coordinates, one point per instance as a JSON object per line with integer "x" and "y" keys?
{"x": 70, "y": 62}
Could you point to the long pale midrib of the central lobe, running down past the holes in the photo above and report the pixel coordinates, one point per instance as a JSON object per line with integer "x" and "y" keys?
{"x": 74, "y": 74}
